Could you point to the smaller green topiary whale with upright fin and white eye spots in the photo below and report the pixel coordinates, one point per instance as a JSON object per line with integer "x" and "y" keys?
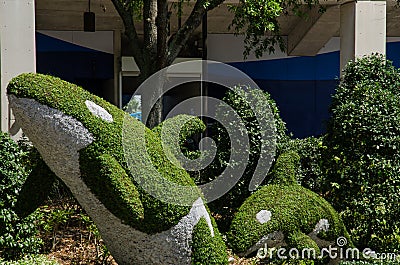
{"x": 285, "y": 214}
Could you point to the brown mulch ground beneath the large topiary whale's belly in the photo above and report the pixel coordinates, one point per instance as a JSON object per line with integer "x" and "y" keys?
{"x": 71, "y": 238}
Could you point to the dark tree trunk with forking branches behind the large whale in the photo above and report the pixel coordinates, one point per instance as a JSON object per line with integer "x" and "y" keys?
{"x": 157, "y": 50}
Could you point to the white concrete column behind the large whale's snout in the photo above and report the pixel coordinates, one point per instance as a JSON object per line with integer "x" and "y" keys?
{"x": 17, "y": 47}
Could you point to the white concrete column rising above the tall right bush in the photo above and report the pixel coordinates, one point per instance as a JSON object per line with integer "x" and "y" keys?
{"x": 362, "y": 29}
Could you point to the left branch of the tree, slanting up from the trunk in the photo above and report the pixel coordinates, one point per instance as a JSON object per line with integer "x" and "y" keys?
{"x": 126, "y": 13}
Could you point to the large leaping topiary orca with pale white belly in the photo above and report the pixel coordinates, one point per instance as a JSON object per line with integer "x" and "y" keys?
{"x": 79, "y": 137}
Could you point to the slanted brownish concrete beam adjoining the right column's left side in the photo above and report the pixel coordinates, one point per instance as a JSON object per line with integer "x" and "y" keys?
{"x": 312, "y": 33}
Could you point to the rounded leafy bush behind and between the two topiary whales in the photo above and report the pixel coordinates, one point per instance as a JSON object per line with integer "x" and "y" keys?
{"x": 276, "y": 132}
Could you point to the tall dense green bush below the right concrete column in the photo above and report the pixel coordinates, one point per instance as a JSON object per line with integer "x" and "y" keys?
{"x": 363, "y": 143}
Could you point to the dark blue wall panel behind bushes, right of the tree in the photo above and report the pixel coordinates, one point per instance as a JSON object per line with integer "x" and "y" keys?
{"x": 303, "y": 86}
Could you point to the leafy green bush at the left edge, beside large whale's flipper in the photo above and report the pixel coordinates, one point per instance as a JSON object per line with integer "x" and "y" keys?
{"x": 17, "y": 236}
